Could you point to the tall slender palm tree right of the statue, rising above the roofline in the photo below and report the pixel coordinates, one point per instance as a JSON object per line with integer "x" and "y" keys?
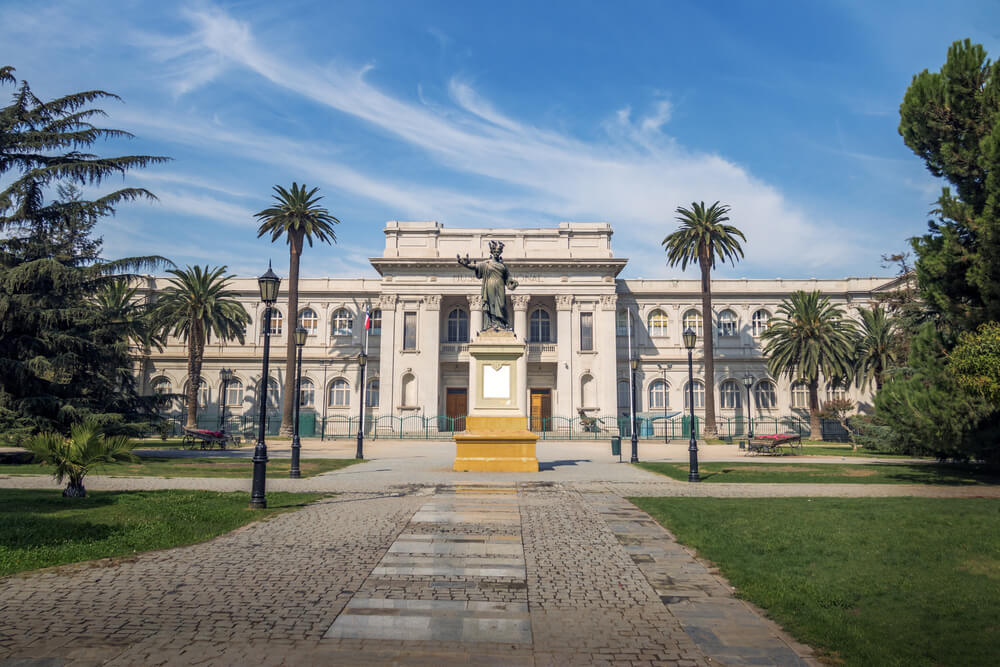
{"x": 703, "y": 239}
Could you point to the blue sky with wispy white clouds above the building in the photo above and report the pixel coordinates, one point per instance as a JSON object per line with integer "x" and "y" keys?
{"x": 509, "y": 115}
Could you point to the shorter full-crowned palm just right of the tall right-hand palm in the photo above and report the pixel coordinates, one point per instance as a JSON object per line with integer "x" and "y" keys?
{"x": 809, "y": 338}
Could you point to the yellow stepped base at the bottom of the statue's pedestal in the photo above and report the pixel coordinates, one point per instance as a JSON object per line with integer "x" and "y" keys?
{"x": 495, "y": 444}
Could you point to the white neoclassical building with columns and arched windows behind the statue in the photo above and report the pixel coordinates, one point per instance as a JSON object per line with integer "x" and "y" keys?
{"x": 570, "y": 307}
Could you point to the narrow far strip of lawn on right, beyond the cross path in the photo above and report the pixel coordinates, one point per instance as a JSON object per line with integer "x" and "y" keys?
{"x": 787, "y": 471}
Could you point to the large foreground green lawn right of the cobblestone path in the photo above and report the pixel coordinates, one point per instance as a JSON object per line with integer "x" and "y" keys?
{"x": 886, "y": 581}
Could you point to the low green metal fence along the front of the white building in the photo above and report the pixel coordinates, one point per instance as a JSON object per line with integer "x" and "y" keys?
{"x": 442, "y": 427}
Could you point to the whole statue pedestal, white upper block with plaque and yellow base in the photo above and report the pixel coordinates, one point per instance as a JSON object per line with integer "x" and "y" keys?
{"x": 496, "y": 438}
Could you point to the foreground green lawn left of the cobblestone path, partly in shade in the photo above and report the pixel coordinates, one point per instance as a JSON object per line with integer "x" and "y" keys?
{"x": 40, "y": 528}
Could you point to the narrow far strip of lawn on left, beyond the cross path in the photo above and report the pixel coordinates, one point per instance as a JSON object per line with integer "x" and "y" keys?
{"x": 161, "y": 466}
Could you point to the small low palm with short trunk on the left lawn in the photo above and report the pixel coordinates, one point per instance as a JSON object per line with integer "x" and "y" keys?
{"x": 73, "y": 457}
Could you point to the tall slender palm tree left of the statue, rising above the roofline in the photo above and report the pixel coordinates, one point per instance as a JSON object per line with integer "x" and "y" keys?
{"x": 296, "y": 215}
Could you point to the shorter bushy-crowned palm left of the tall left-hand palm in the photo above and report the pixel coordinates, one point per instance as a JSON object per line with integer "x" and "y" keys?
{"x": 195, "y": 305}
